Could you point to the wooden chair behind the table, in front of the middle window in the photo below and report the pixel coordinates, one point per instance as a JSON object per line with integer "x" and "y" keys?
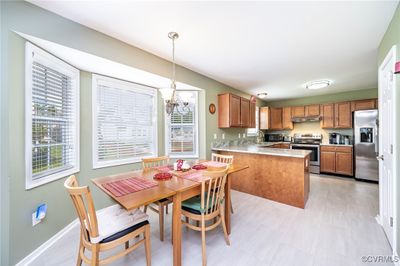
{"x": 158, "y": 206}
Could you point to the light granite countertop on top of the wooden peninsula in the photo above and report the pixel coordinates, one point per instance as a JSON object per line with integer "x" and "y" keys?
{"x": 262, "y": 148}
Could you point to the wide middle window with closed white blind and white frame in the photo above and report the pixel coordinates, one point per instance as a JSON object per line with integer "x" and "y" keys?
{"x": 125, "y": 122}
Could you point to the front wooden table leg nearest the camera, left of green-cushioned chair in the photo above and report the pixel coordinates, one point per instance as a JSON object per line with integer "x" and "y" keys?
{"x": 177, "y": 230}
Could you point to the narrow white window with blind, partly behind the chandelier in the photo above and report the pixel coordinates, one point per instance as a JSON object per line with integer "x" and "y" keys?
{"x": 182, "y": 129}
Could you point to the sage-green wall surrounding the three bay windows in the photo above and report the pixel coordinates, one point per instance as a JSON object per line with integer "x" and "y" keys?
{"x": 18, "y": 237}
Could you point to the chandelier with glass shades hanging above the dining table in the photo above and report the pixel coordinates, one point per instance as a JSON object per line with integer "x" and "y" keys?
{"x": 172, "y": 100}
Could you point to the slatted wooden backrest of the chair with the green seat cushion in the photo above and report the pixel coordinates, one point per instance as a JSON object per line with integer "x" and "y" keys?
{"x": 212, "y": 190}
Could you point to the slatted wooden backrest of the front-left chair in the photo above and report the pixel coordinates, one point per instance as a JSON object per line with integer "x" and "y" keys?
{"x": 84, "y": 206}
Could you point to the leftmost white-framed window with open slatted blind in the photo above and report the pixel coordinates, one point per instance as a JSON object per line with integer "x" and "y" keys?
{"x": 51, "y": 118}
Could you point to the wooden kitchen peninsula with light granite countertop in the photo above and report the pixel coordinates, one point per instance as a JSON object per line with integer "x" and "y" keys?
{"x": 277, "y": 174}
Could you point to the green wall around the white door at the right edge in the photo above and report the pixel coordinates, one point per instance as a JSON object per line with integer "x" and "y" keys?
{"x": 392, "y": 37}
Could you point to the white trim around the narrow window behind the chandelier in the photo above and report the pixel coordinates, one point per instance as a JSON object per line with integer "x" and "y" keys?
{"x": 166, "y": 131}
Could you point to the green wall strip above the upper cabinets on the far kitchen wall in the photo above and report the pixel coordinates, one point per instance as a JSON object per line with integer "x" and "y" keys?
{"x": 328, "y": 98}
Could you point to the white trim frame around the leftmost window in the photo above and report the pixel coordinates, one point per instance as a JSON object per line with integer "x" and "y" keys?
{"x": 62, "y": 67}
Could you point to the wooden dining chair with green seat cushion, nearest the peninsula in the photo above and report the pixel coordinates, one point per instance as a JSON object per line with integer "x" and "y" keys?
{"x": 206, "y": 208}
